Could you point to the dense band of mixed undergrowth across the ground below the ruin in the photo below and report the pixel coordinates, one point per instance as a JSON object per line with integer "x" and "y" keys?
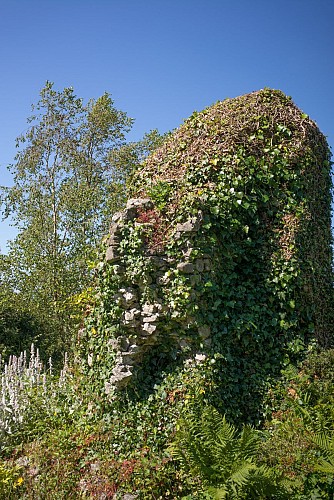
{"x": 61, "y": 450}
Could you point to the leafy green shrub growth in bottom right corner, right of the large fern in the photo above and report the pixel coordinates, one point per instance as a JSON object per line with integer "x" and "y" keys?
{"x": 301, "y": 427}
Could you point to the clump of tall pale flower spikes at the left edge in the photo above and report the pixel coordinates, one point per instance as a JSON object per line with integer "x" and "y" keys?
{"x": 32, "y": 397}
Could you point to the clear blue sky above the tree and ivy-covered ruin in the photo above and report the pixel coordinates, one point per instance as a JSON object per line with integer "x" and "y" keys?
{"x": 162, "y": 59}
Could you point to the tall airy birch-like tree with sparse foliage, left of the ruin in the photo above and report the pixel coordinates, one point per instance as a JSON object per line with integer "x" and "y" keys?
{"x": 64, "y": 192}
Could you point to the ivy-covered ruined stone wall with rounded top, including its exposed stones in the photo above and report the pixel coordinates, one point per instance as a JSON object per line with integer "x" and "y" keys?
{"x": 221, "y": 261}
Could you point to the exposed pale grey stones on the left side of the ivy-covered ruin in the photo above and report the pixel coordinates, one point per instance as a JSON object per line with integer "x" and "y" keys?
{"x": 141, "y": 322}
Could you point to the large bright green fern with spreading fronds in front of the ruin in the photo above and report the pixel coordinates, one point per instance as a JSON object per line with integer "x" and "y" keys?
{"x": 211, "y": 448}
